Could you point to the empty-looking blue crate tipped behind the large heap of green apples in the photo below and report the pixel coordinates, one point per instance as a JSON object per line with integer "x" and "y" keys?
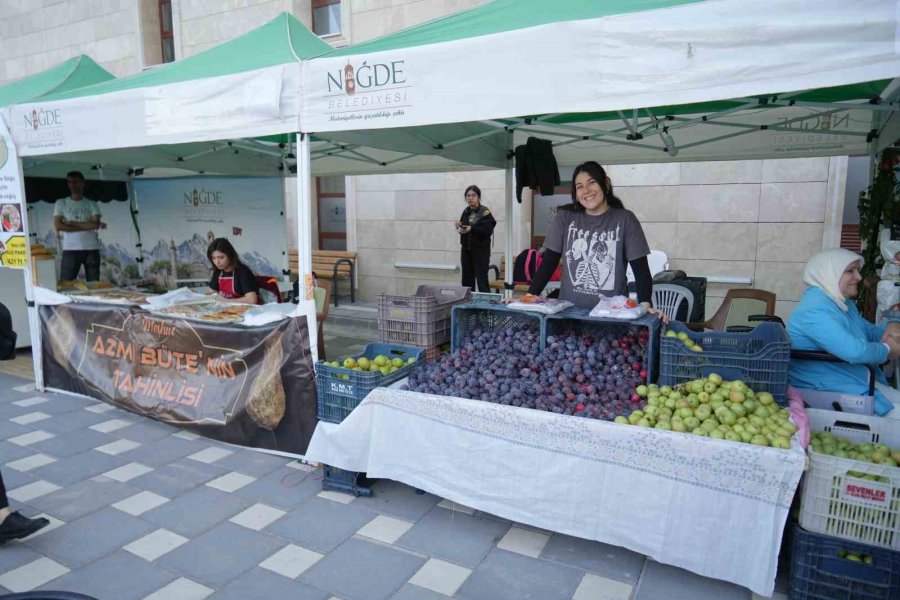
{"x": 759, "y": 358}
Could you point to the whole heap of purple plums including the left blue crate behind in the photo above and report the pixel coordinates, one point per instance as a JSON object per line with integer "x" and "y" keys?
{"x": 499, "y": 358}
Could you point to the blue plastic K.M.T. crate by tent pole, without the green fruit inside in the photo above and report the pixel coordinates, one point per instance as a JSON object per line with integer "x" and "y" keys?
{"x": 340, "y": 390}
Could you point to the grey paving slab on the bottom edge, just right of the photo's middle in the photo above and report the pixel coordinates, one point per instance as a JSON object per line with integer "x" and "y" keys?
{"x": 509, "y": 576}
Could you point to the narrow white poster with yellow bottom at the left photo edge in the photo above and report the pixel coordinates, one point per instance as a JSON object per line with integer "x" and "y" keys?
{"x": 13, "y": 250}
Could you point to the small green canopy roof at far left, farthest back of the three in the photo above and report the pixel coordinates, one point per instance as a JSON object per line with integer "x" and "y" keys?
{"x": 76, "y": 72}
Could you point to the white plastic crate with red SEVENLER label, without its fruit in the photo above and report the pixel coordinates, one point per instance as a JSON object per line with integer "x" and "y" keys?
{"x": 837, "y": 504}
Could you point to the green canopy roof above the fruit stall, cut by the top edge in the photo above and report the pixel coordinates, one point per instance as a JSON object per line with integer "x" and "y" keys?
{"x": 503, "y": 15}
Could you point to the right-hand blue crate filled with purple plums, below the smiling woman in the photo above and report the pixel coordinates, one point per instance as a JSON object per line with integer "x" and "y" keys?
{"x": 598, "y": 363}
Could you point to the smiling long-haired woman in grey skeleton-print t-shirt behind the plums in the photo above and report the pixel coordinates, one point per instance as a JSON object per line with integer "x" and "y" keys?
{"x": 596, "y": 239}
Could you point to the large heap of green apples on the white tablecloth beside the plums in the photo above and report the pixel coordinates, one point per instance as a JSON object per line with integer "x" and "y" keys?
{"x": 712, "y": 407}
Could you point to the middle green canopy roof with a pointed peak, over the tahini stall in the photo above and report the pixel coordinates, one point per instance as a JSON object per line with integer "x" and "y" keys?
{"x": 282, "y": 40}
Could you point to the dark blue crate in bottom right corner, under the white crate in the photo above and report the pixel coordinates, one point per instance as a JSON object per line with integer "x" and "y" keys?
{"x": 820, "y": 569}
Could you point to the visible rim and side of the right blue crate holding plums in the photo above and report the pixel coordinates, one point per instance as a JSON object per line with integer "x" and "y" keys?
{"x": 579, "y": 321}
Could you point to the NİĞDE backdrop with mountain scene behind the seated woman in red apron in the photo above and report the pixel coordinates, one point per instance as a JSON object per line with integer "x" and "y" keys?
{"x": 179, "y": 217}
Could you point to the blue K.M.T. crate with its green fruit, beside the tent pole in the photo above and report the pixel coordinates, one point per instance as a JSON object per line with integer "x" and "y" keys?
{"x": 342, "y": 385}
